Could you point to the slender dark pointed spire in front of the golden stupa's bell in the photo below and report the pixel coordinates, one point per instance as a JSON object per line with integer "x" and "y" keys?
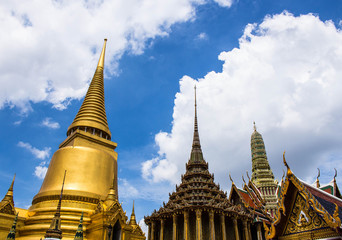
{"x": 55, "y": 228}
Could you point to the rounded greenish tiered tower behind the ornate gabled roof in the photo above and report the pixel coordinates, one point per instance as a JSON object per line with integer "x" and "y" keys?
{"x": 262, "y": 175}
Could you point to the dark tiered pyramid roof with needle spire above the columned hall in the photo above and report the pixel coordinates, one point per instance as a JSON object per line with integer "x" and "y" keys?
{"x": 197, "y": 188}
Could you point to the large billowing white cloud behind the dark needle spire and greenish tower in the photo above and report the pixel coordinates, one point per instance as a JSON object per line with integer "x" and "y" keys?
{"x": 286, "y": 76}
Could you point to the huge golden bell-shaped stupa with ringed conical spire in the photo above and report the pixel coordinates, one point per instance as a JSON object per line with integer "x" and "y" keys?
{"x": 90, "y": 187}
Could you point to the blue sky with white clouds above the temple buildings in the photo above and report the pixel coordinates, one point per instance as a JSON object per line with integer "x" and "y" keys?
{"x": 273, "y": 62}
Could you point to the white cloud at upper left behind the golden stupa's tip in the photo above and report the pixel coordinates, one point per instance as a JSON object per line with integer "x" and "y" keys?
{"x": 50, "y": 48}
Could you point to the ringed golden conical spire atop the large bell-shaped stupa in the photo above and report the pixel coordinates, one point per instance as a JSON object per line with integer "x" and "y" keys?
{"x": 92, "y": 115}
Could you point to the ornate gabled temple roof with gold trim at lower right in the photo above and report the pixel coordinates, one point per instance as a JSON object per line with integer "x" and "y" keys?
{"x": 293, "y": 190}
